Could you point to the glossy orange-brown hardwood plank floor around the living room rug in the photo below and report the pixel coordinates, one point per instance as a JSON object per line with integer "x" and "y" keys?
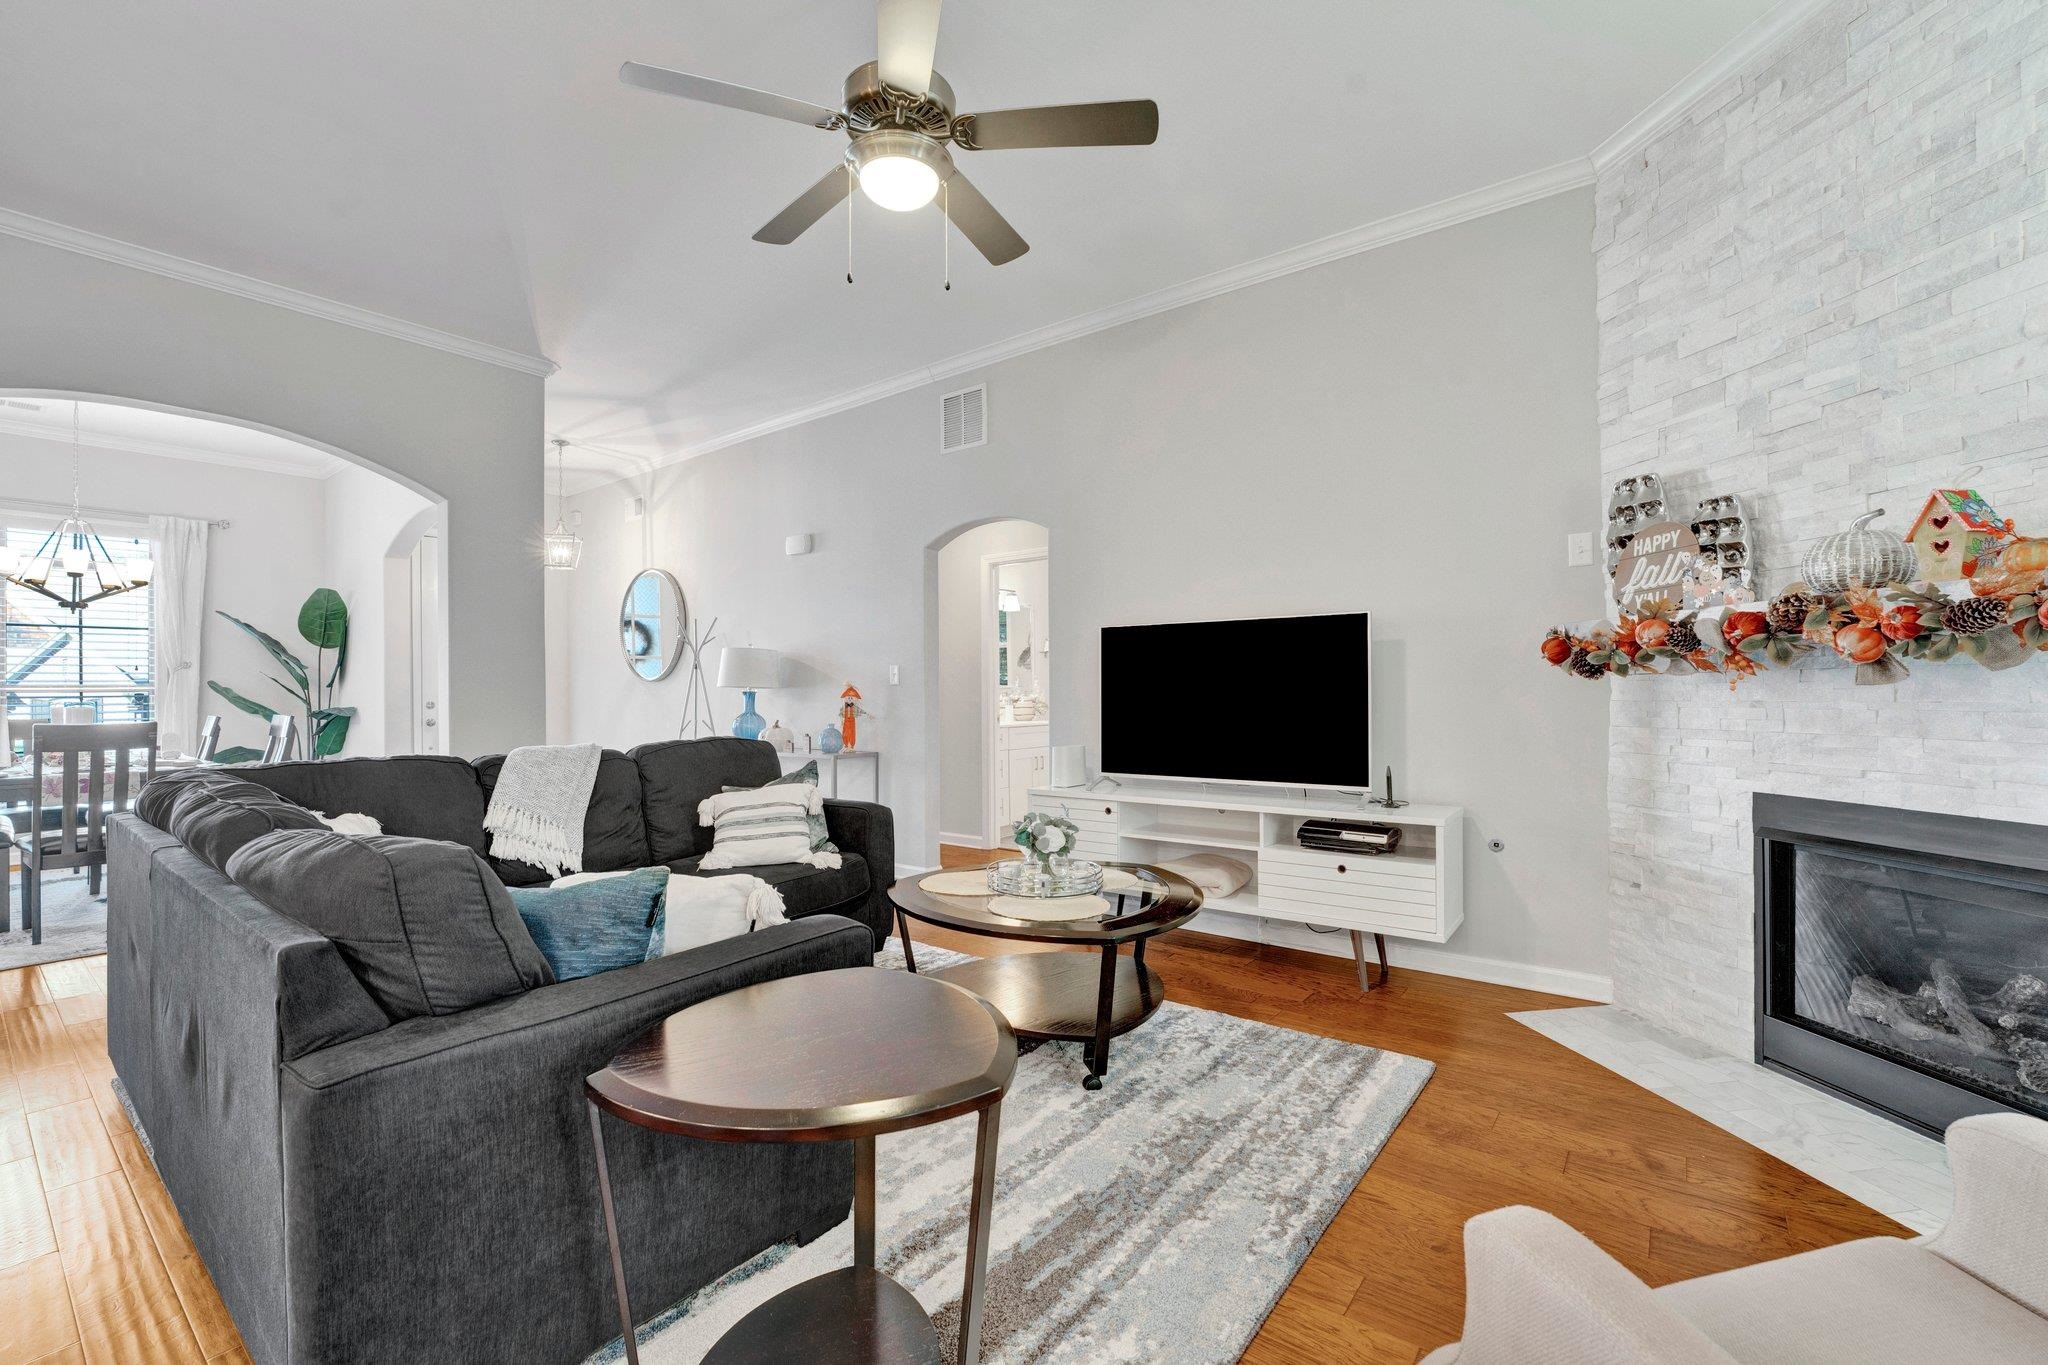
{"x": 97, "y": 1270}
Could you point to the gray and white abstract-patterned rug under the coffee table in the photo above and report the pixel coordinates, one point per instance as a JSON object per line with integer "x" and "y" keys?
{"x": 1154, "y": 1221}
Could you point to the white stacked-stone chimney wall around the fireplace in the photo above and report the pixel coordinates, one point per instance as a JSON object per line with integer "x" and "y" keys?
{"x": 1824, "y": 294}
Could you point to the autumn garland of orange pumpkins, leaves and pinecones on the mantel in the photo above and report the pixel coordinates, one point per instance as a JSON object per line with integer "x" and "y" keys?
{"x": 1877, "y": 629}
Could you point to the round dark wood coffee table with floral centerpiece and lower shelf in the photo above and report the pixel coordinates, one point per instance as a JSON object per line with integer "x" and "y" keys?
{"x": 1062, "y": 998}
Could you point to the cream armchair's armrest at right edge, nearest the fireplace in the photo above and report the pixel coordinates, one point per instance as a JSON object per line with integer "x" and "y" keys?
{"x": 2002, "y": 1204}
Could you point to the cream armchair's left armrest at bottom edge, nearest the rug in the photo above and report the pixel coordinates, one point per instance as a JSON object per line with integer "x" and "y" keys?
{"x": 1537, "y": 1292}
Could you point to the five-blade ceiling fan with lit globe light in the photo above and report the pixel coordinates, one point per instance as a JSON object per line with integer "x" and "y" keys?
{"x": 900, "y": 124}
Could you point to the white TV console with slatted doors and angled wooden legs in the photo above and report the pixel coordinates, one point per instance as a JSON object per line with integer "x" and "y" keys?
{"x": 1416, "y": 893}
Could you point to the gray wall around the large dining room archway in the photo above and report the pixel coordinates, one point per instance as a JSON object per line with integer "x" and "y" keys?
{"x": 450, "y": 427}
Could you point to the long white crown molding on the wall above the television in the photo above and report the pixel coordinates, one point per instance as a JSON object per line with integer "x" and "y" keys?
{"x": 1385, "y": 232}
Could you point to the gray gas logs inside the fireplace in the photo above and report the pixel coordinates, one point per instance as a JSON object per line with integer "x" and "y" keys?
{"x": 2008, "y": 1026}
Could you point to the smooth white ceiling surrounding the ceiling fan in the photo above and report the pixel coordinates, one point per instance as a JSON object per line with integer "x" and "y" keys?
{"x": 476, "y": 167}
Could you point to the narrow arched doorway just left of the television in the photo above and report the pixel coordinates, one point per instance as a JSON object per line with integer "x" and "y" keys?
{"x": 992, "y": 678}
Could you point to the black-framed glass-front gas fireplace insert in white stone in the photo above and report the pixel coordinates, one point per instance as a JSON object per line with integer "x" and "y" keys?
{"x": 1904, "y": 957}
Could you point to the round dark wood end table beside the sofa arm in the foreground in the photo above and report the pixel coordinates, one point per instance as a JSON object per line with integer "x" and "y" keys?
{"x": 826, "y": 1057}
